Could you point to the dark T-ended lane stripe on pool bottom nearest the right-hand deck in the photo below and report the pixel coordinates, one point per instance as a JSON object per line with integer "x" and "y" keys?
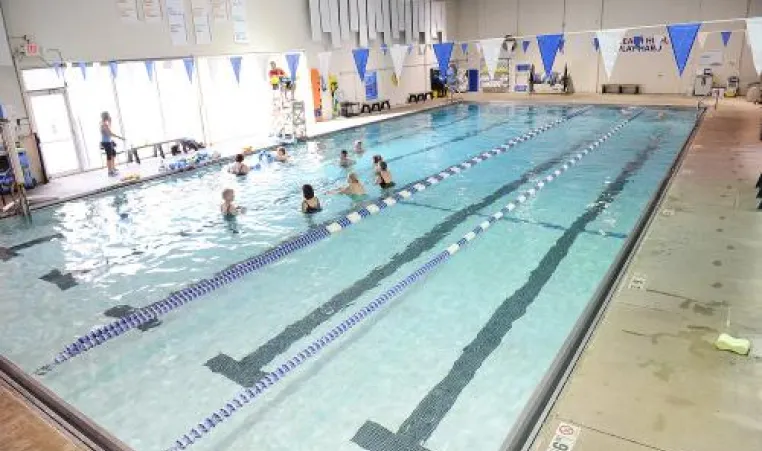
{"x": 423, "y": 421}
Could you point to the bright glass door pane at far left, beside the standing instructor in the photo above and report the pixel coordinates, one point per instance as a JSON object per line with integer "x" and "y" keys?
{"x": 50, "y": 111}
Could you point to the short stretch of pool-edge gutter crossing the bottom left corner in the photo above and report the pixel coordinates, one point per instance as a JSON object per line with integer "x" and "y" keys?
{"x": 69, "y": 421}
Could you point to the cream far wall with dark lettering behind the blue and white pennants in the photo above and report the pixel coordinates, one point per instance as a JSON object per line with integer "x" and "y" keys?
{"x": 656, "y": 72}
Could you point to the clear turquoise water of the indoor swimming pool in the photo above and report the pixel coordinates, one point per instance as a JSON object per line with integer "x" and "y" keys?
{"x": 420, "y": 318}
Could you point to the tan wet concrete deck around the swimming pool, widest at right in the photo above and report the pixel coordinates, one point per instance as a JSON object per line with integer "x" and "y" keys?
{"x": 649, "y": 378}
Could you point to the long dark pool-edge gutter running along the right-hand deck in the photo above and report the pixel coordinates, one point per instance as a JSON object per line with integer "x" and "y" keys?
{"x": 532, "y": 418}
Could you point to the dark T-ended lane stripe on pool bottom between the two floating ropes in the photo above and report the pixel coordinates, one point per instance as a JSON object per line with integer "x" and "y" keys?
{"x": 249, "y": 369}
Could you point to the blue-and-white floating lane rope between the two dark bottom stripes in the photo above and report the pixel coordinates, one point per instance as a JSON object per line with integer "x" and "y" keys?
{"x": 248, "y": 395}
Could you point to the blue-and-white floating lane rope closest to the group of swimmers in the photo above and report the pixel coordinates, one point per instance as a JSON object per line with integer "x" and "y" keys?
{"x": 176, "y": 300}
